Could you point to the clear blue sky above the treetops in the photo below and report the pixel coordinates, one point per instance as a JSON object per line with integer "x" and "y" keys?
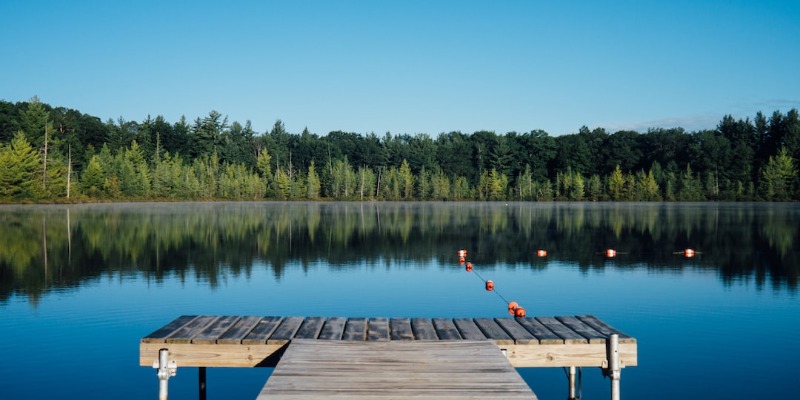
{"x": 407, "y": 66}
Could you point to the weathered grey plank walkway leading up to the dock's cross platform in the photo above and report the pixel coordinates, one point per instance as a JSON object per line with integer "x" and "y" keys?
{"x": 395, "y": 369}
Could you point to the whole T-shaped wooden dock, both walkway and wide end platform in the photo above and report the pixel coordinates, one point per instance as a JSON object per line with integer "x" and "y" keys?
{"x": 314, "y": 353}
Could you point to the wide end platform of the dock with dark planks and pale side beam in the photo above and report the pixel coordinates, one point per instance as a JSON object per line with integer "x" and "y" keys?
{"x": 248, "y": 341}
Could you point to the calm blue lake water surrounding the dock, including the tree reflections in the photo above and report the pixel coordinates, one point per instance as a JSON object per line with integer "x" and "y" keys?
{"x": 81, "y": 284}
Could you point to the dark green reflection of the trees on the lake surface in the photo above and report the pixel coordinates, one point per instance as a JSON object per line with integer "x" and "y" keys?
{"x": 54, "y": 247}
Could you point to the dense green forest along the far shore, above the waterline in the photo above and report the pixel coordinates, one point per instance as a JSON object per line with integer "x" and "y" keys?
{"x": 56, "y": 154}
